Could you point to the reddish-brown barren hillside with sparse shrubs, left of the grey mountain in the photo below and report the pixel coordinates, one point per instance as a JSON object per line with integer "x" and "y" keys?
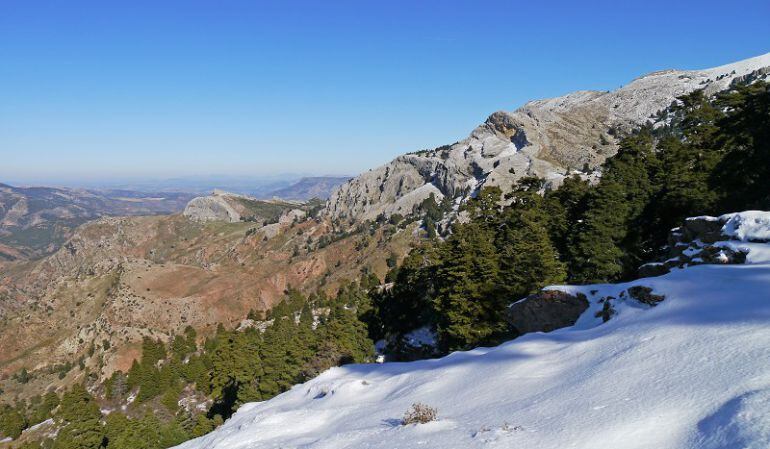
{"x": 119, "y": 279}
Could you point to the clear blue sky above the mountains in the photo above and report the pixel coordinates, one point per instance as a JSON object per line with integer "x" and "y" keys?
{"x": 167, "y": 88}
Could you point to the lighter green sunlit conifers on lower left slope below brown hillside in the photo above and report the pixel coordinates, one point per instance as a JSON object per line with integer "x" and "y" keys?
{"x": 185, "y": 389}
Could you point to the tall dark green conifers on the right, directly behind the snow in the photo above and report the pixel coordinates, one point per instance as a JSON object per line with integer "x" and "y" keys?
{"x": 712, "y": 158}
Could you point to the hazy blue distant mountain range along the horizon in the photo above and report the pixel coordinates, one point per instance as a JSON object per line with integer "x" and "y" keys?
{"x": 35, "y": 221}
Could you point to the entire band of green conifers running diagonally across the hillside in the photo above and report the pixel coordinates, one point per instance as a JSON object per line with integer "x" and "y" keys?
{"x": 711, "y": 157}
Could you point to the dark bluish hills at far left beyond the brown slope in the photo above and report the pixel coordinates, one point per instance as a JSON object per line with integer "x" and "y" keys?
{"x": 36, "y": 220}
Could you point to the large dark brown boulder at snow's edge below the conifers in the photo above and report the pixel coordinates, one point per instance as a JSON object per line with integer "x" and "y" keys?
{"x": 546, "y": 311}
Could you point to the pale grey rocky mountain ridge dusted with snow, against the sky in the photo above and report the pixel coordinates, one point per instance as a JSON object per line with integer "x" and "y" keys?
{"x": 546, "y": 138}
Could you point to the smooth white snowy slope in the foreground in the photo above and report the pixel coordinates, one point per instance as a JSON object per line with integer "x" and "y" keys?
{"x": 692, "y": 372}
